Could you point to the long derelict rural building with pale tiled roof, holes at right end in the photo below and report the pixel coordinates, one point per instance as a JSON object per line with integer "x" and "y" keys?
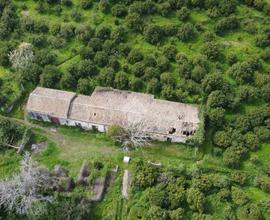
{"x": 163, "y": 120}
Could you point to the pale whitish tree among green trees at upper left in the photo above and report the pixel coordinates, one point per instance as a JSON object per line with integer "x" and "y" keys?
{"x": 22, "y": 56}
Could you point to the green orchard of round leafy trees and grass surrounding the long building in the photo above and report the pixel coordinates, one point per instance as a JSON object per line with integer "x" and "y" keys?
{"x": 212, "y": 53}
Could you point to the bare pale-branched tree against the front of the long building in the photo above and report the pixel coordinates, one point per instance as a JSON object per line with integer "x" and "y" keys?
{"x": 133, "y": 135}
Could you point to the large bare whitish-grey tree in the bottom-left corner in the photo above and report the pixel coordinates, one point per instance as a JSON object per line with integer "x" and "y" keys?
{"x": 23, "y": 191}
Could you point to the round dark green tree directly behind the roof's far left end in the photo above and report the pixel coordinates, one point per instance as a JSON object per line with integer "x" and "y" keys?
{"x": 50, "y": 76}
